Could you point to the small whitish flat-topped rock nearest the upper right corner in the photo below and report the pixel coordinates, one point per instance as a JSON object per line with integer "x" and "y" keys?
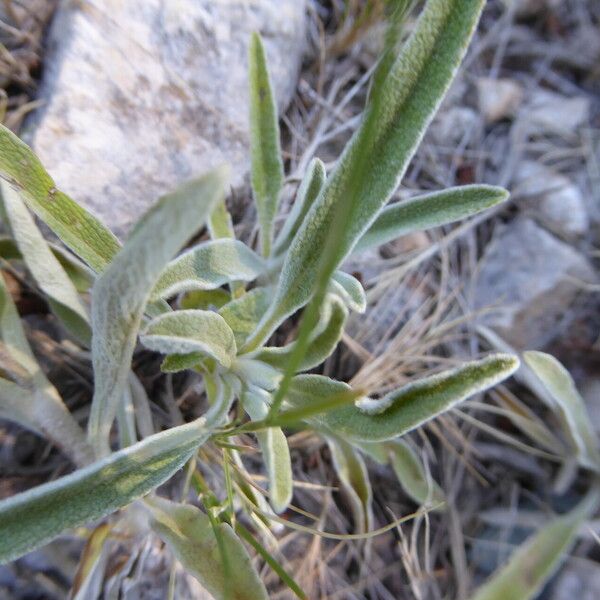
{"x": 555, "y": 113}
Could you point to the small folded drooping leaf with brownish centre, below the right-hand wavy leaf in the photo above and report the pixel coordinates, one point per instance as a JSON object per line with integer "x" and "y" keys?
{"x": 353, "y": 475}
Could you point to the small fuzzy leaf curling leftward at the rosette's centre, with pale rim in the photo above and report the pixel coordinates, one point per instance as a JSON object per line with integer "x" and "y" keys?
{"x": 186, "y": 331}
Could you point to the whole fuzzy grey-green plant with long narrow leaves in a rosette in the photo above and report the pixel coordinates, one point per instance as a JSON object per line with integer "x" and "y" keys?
{"x": 213, "y": 309}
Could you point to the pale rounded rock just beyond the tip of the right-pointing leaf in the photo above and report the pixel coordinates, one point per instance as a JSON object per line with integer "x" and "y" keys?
{"x": 554, "y": 197}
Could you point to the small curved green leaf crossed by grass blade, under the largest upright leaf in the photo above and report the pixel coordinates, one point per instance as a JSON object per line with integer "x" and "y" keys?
{"x": 320, "y": 347}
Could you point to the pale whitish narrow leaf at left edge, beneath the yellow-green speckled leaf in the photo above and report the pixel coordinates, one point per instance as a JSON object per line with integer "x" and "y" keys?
{"x": 45, "y": 267}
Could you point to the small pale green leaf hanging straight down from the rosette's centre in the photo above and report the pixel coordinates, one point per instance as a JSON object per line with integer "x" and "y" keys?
{"x": 275, "y": 451}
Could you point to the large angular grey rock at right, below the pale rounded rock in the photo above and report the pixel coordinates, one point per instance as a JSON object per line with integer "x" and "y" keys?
{"x": 529, "y": 278}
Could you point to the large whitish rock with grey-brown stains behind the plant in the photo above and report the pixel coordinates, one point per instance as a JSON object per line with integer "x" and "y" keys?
{"x": 143, "y": 94}
